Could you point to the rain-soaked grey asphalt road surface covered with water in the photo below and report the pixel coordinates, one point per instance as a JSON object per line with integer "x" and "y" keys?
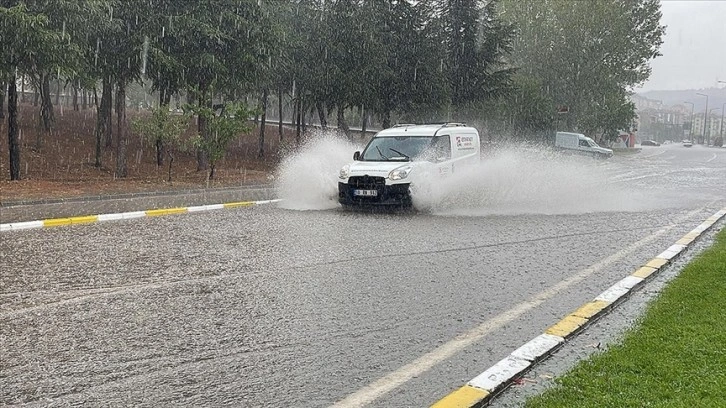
{"x": 263, "y": 306}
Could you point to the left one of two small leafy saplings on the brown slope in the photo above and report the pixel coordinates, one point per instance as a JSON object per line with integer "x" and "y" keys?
{"x": 164, "y": 131}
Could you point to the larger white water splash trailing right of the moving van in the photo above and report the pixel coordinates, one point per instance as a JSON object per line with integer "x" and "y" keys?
{"x": 523, "y": 180}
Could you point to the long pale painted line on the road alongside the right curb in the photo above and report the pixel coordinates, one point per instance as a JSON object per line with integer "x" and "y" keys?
{"x": 395, "y": 379}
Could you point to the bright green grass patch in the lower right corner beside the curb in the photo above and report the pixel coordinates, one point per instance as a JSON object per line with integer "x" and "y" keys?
{"x": 675, "y": 357}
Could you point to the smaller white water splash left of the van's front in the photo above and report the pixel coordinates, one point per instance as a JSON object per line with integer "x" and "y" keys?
{"x": 307, "y": 178}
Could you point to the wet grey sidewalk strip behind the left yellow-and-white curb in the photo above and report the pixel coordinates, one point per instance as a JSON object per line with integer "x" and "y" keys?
{"x": 24, "y": 210}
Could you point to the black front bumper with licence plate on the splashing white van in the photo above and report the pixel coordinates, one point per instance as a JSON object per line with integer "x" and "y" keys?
{"x": 349, "y": 194}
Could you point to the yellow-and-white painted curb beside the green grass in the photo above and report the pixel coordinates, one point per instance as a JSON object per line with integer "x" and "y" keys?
{"x": 482, "y": 388}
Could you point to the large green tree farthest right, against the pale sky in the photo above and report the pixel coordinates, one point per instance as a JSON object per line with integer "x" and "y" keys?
{"x": 586, "y": 54}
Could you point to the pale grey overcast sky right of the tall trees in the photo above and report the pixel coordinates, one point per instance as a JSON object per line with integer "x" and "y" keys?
{"x": 694, "y": 47}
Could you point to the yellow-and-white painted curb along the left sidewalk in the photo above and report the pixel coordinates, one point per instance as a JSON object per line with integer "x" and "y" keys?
{"x": 89, "y": 219}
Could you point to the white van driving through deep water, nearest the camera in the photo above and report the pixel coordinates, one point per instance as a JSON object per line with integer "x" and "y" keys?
{"x": 398, "y": 157}
